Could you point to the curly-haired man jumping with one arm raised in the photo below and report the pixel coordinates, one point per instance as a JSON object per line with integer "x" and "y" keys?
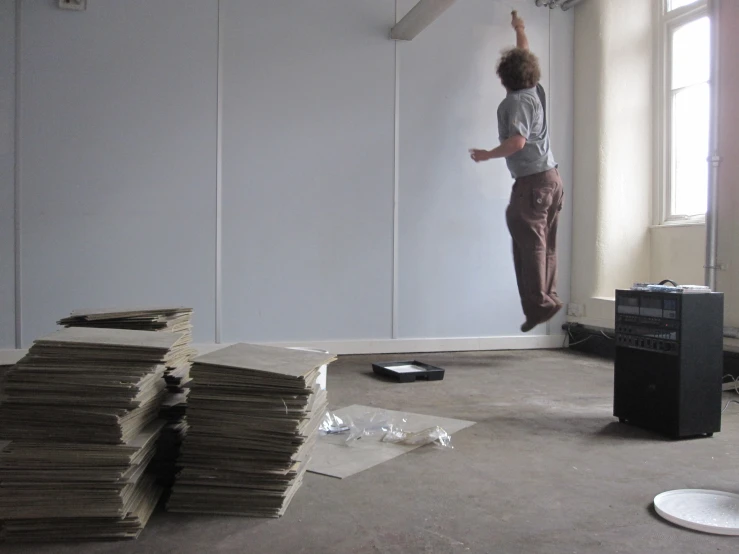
{"x": 536, "y": 199}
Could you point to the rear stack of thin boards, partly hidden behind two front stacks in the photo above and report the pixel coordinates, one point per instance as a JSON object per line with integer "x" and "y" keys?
{"x": 168, "y": 319}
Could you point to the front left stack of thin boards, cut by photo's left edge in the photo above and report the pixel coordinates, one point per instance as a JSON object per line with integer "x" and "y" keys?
{"x": 80, "y": 410}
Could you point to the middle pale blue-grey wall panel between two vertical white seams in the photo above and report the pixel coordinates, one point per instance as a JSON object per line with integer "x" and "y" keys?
{"x": 308, "y": 130}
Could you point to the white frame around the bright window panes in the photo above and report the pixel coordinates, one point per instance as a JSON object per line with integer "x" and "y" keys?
{"x": 662, "y": 108}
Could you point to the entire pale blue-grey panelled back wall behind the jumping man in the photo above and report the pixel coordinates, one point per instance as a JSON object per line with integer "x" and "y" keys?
{"x": 119, "y": 149}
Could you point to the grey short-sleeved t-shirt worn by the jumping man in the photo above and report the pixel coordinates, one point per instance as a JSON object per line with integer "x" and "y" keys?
{"x": 523, "y": 113}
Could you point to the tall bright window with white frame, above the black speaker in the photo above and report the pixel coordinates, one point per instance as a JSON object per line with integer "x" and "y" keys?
{"x": 684, "y": 109}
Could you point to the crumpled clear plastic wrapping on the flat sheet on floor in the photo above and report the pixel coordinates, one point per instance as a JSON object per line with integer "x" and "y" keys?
{"x": 387, "y": 426}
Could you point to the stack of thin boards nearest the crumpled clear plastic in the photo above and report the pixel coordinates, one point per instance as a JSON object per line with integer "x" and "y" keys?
{"x": 254, "y": 413}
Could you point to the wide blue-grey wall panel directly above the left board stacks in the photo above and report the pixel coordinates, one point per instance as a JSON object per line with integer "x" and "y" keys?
{"x": 118, "y": 150}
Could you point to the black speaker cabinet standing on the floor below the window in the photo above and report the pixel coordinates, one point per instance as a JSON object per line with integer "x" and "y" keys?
{"x": 669, "y": 361}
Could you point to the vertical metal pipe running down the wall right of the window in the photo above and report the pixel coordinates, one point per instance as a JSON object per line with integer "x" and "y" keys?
{"x": 714, "y": 159}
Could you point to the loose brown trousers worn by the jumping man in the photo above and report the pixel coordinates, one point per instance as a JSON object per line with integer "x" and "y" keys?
{"x": 532, "y": 217}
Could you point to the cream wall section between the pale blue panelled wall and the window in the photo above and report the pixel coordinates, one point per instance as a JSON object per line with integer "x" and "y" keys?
{"x": 613, "y": 145}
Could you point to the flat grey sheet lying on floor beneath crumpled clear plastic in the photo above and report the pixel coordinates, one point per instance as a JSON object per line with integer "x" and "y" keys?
{"x": 332, "y": 456}
